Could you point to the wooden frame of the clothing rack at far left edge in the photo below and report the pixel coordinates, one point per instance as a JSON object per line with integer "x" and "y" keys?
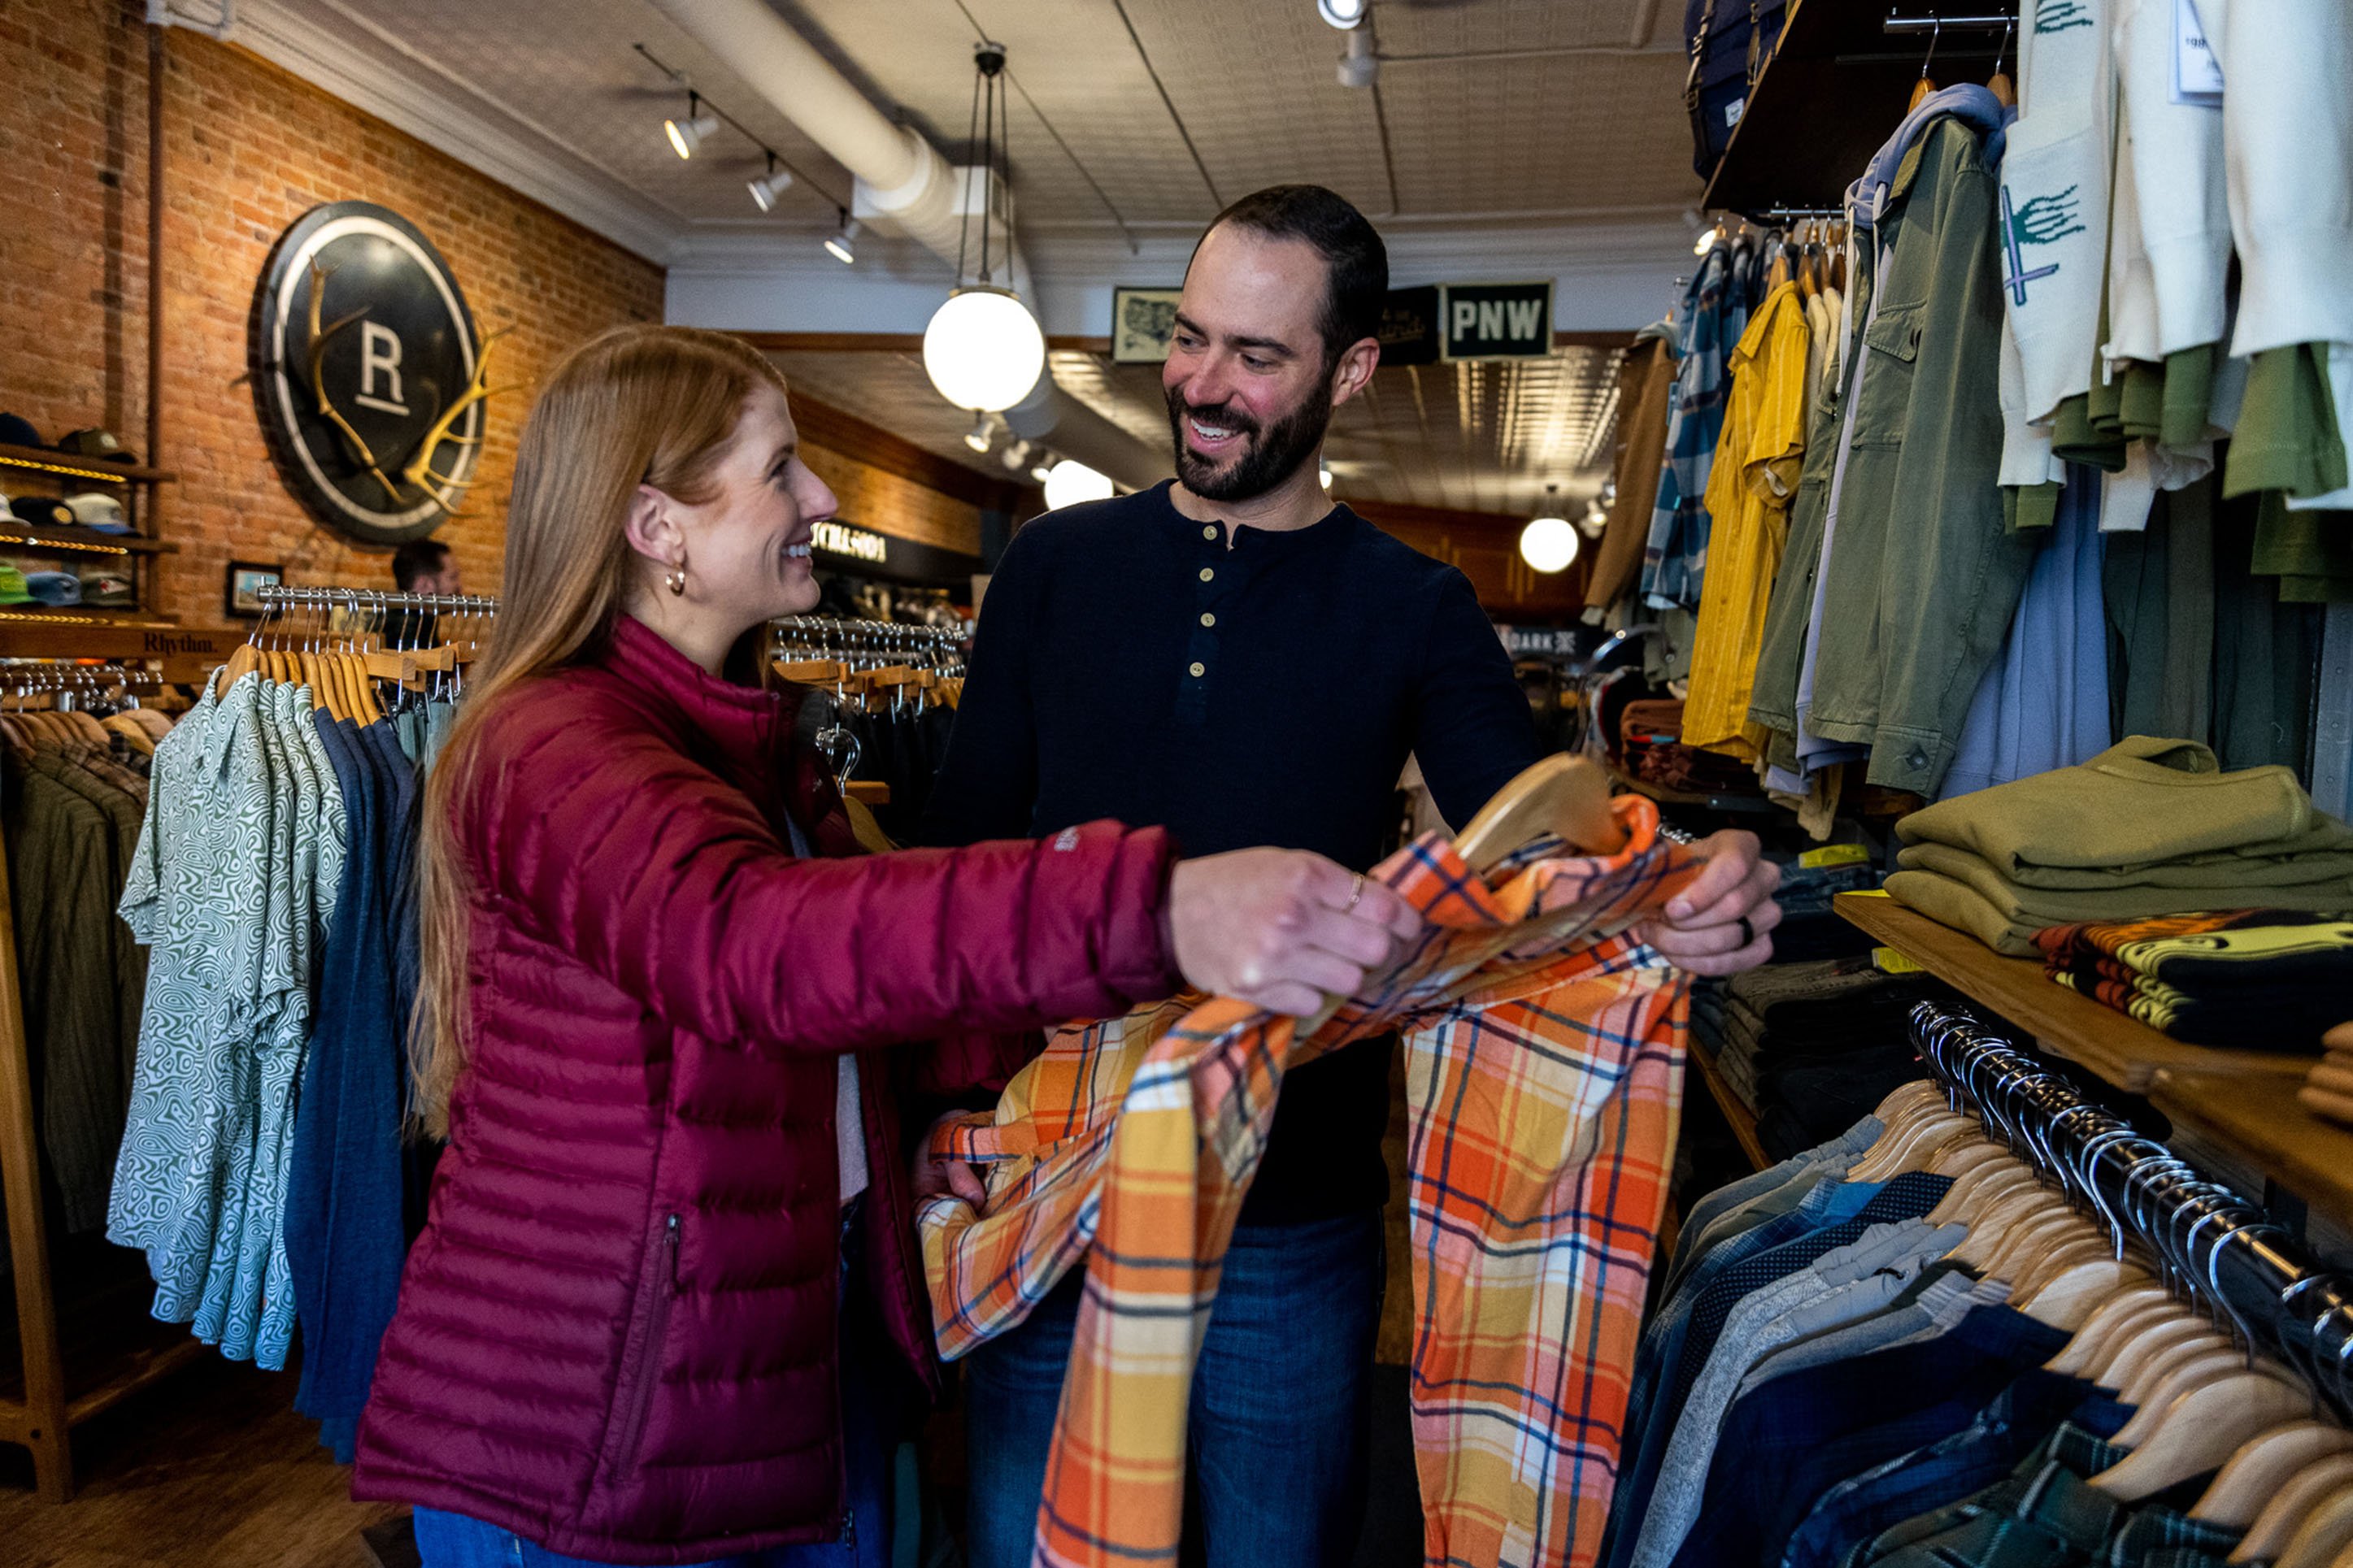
{"x": 48, "y": 1409}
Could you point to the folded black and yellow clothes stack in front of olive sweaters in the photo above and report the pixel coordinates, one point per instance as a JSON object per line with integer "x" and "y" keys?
{"x": 2260, "y": 979}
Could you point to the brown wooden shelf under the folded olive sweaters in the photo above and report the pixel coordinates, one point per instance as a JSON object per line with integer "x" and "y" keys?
{"x": 2237, "y": 1108}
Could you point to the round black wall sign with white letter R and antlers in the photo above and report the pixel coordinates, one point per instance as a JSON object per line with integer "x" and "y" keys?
{"x": 368, "y": 375}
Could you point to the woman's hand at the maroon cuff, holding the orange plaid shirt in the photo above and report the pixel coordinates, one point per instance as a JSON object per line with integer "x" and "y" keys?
{"x": 1281, "y": 927}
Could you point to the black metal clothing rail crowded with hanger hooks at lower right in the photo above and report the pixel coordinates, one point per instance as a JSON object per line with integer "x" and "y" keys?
{"x": 2206, "y": 1238}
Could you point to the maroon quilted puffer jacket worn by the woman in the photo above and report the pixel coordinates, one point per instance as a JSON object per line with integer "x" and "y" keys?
{"x": 618, "y": 1329}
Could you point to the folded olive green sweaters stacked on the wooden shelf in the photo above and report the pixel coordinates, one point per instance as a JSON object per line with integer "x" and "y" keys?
{"x": 2145, "y": 829}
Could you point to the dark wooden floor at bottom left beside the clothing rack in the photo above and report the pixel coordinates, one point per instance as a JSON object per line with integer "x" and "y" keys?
{"x": 208, "y": 1470}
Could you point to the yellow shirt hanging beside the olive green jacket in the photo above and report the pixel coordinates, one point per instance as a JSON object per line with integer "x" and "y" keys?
{"x": 1749, "y": 492}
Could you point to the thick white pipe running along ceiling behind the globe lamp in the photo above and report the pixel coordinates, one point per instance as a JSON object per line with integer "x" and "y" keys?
{"x": 905, "y": 182}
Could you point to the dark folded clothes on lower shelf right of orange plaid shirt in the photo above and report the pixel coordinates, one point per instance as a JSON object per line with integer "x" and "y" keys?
{"x": 1804, "y": 1045}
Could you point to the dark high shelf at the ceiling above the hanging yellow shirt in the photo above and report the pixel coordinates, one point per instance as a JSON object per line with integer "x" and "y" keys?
{"x": 1837, "y": 83}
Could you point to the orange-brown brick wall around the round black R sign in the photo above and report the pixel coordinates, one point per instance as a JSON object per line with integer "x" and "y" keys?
{"x": 248, "y": 149}
